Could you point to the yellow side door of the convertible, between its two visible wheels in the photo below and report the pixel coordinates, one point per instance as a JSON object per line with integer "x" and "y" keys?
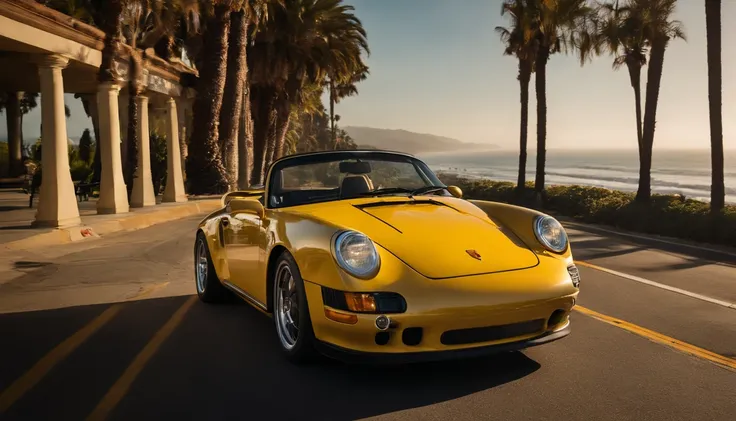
{"x": 243, "y": 246}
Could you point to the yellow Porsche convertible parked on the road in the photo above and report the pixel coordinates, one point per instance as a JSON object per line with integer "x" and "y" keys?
{"x": 367, "y": 255}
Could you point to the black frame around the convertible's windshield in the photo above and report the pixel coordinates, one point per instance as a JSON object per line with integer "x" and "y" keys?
{"x": 335, "y": 156}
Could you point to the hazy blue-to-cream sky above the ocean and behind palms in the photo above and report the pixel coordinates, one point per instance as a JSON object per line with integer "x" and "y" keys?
{"x": 437, "y": 66}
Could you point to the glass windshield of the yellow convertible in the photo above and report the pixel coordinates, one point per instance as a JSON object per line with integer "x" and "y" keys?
{"x": 333, "y": 176}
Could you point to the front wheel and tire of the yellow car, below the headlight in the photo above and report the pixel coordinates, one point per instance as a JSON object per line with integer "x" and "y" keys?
{"x": 291, "y": 311}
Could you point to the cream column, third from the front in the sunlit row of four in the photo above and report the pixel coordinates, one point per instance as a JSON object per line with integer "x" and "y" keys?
{"x": 142, "y": 194}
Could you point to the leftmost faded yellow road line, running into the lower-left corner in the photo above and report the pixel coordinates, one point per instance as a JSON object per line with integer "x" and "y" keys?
{"x": 16, "y": 390}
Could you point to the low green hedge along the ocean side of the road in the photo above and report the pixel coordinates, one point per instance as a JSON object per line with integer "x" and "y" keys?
{"x": 666, "y": 215}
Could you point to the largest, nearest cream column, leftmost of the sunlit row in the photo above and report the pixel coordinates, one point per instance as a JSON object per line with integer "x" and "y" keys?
{"x": 57, "y": 203}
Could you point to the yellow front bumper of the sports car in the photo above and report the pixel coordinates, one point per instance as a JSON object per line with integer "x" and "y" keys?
{"x": 475, "y": 323}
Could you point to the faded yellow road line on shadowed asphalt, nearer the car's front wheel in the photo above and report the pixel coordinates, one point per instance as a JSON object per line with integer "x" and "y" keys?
{"x": 122, "y": 385}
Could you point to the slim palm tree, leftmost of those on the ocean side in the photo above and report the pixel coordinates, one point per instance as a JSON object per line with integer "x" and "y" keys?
{"x": 521, "y": 44}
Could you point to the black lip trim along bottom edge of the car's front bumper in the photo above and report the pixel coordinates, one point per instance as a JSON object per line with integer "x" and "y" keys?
{"x": 351, "y": 356}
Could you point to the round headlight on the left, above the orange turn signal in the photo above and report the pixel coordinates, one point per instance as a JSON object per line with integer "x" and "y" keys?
{"x": 357, "y": 254}
